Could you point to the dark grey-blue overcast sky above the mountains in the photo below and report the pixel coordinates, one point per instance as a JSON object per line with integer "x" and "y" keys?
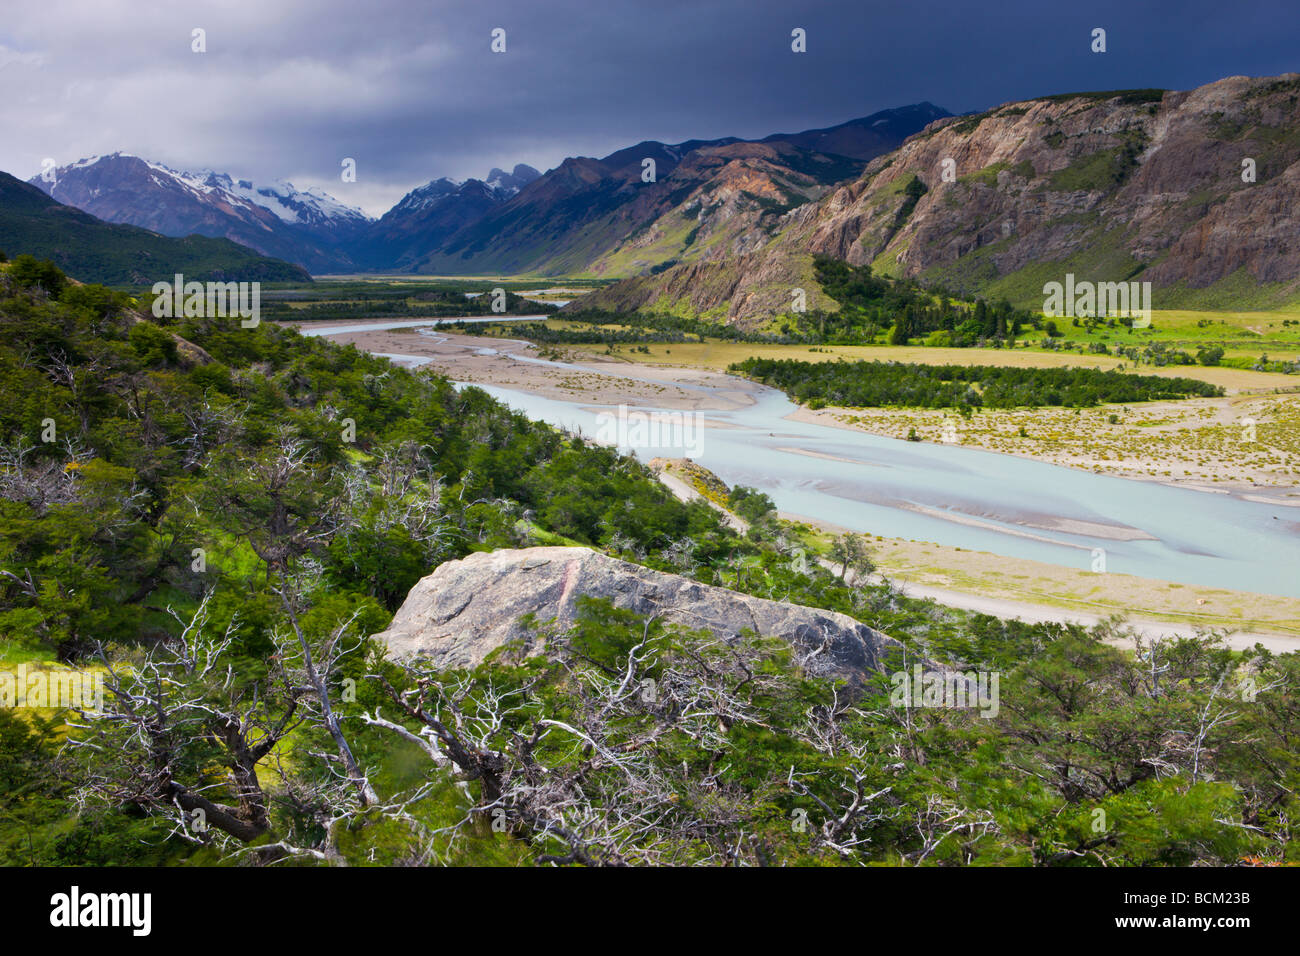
{"x": 411, "y": 89}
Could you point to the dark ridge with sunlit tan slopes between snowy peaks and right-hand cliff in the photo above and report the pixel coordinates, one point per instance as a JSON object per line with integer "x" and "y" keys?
{"x": 653, "y": 205}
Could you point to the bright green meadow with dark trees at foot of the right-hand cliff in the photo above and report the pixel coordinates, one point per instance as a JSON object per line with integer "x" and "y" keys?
{"x": 859, "y": 306}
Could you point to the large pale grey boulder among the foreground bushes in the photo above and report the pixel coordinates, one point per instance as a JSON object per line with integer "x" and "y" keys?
{"x": 467, "y": 609}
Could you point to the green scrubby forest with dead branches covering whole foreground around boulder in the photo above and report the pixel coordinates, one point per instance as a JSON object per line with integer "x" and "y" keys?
{"x": 216, "y": 518}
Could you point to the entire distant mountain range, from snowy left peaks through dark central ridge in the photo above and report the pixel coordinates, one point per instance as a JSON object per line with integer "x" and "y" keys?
{"x": 597, "y": 217}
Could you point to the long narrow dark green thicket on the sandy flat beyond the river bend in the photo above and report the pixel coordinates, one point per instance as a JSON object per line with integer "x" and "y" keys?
{"x": 872, "y": 384}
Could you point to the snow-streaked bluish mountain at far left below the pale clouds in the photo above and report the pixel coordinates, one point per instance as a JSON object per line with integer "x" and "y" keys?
{"x": 310, "y": 228}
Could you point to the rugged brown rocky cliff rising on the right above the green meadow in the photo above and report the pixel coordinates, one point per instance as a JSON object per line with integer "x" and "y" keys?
{"x": 1145, "y": 185}
